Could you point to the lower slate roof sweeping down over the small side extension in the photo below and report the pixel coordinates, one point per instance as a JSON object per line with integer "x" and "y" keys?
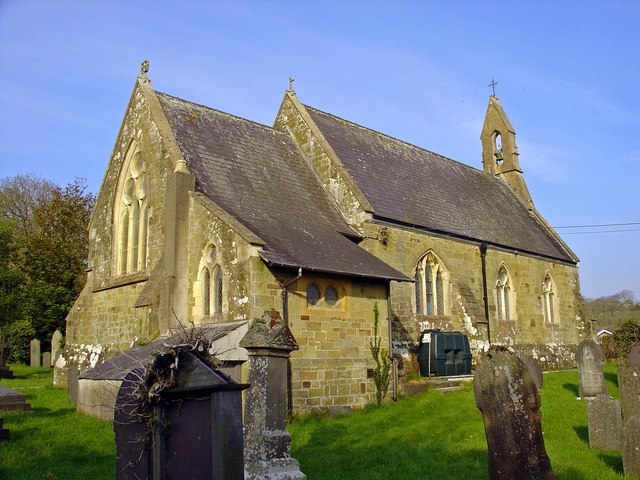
{"x": 256, "y": 174}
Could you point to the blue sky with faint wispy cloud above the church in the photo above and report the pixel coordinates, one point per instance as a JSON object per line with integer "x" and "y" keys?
{"x": 567, "y": 76}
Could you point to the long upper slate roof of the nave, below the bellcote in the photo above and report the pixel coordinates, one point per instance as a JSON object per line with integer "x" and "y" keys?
{"x": 408, "y": 185}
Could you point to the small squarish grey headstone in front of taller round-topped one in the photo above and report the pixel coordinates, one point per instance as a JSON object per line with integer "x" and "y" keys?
{"x": 605, "y": 423}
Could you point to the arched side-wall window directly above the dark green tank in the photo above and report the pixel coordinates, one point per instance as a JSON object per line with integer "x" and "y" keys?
{"x": 431, "y": 281}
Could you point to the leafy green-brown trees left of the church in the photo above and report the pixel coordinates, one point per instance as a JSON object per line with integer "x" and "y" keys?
{"x": 44, "y": 247}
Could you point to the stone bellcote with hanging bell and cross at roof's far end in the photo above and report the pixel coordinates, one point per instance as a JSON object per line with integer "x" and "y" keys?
{"x": 500, "y": 155}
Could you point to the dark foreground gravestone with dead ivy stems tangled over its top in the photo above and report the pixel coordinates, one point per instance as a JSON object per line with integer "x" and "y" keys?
{"x": 192, "y": 428}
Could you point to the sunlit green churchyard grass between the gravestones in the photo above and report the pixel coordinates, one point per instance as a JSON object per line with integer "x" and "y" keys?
{"x": 433, "y": 435}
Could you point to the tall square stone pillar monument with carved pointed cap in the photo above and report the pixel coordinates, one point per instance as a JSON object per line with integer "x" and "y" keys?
{"x": 269, "y": 342}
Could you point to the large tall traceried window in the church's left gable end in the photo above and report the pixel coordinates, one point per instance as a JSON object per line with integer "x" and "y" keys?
{"x": 132, "y": 214}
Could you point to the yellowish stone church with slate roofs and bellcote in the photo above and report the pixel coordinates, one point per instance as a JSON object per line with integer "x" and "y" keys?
{"x": 207, "y": 218}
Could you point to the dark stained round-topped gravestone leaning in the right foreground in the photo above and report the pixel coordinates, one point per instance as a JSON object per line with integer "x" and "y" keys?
{"x": 507, "y": 395}
